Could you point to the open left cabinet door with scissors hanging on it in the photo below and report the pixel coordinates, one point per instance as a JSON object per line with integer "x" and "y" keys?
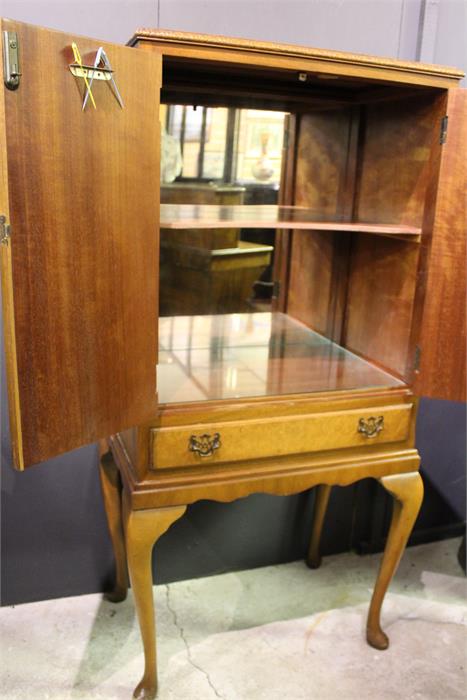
{"x": 80, "y": 192}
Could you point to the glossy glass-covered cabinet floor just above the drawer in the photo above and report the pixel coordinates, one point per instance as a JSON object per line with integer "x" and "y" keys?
{"x": 234, "y": 356}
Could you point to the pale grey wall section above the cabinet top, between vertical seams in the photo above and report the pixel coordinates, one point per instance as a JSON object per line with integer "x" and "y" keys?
{"x": 364, "y": 26}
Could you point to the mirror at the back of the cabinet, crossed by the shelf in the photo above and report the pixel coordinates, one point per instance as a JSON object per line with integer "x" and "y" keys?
{"x": 220, "y": 156}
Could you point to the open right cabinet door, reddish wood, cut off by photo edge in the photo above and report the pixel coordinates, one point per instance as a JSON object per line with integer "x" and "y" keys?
{"x": 442, "y": 370}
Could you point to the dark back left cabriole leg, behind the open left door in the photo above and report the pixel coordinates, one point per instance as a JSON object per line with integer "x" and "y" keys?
{"x": 112, "y": 496}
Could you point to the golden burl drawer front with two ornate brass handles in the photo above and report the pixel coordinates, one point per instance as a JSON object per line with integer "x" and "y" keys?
{"x": 233, "y": 441}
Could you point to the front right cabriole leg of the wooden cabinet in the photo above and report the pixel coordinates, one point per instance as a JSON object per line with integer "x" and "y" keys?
{"x": 407, "y": 490}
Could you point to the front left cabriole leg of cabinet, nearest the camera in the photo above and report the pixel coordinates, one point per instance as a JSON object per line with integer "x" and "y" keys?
{"x": 142, "y": 529}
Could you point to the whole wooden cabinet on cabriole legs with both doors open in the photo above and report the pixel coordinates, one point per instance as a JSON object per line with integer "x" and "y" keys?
{"x": 368, "y": 270}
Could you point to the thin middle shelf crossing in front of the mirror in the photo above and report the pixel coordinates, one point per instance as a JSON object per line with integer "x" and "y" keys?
{"x": 186, "y": 216}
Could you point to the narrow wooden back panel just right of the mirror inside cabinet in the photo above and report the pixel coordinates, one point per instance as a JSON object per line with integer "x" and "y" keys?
{"x": 325, "y": 171}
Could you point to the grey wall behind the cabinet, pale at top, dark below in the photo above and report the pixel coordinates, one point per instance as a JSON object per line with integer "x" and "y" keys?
{"x": 54, "y": 538}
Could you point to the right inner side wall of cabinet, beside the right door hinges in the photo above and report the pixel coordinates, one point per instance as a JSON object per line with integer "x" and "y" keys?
{"x": 398, "y": 162}
